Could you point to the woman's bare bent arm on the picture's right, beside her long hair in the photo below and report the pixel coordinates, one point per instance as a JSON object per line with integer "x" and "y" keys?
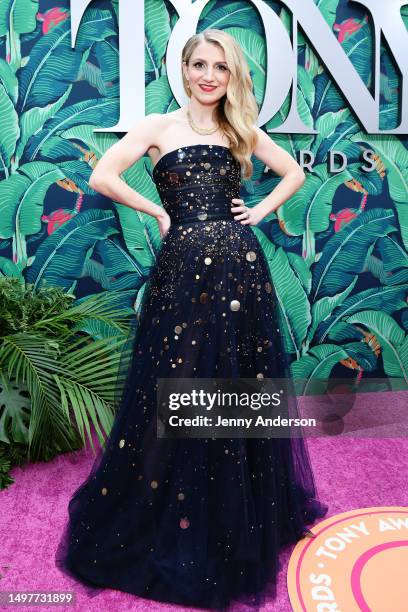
{"x": 283, "y": 164}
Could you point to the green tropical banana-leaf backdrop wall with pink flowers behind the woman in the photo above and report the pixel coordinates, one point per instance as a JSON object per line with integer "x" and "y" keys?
{"x": 337, "y": 250}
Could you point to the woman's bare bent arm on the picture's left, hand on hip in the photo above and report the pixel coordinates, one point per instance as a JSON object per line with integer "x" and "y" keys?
{"x": 106, "y": 176}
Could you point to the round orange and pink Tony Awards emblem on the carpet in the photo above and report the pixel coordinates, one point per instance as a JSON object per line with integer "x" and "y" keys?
{"x": 356, "y": 561}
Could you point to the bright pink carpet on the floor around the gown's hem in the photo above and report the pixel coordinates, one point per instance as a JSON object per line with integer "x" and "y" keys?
{"x": 350, "y": 473}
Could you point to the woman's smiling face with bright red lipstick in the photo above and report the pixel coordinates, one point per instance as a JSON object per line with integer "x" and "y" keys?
{"x": 207, "y": 72}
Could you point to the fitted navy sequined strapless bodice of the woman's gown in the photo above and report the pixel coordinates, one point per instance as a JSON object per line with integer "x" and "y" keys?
{"x": 197, "y": 182}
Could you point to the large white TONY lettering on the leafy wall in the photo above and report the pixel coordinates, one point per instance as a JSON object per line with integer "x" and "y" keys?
{"x": 281, "y": 68}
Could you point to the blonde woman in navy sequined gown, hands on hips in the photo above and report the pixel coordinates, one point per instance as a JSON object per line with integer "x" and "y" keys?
{"x": 196, "y": 521}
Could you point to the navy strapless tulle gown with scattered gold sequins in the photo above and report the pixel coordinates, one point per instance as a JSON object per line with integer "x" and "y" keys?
{"x": 195, "y": 522}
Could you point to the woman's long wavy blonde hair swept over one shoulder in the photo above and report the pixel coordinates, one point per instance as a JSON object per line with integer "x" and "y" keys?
{"x": 237, "y": 111}
